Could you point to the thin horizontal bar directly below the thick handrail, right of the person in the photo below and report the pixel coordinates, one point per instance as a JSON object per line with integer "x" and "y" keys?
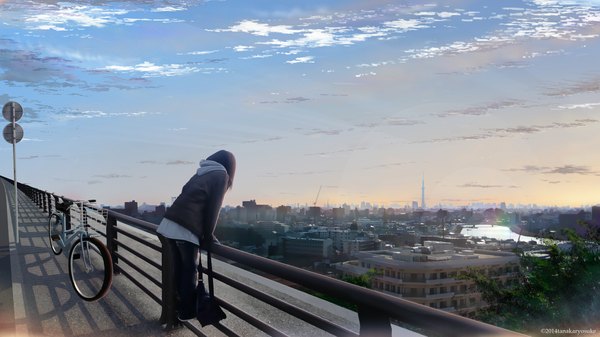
{"x": 286, "y": 307}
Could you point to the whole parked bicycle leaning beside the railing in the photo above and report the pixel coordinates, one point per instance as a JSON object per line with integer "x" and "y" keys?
{"x": 90, "y": 263}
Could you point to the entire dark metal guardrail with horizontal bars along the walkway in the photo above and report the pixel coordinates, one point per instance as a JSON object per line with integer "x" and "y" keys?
{"x": 376, "y": 310}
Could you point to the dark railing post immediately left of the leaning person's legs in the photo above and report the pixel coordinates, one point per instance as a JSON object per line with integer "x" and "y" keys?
{"x": 168, "y": 315}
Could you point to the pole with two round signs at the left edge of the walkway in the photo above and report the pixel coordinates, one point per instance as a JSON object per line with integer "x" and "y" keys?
{"x": 13, "y": 133}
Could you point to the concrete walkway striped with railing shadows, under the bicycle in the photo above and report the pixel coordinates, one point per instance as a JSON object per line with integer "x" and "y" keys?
{"x": 36, "y": 296}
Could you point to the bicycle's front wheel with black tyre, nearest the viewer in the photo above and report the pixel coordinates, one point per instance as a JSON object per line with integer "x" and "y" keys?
{"x": 90, "y": 268}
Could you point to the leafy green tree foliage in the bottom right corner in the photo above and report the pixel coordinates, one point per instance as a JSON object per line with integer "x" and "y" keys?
{"x": 559, "y": 291}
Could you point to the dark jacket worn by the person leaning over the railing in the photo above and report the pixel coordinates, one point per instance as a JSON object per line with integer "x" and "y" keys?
{"x": 197, "y": 207}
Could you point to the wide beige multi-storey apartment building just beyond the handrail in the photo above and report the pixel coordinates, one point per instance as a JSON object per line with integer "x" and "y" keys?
{"x": 429, "y": 274}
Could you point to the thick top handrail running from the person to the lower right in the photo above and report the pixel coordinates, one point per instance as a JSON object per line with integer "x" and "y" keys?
{"x": 408, "y": 312}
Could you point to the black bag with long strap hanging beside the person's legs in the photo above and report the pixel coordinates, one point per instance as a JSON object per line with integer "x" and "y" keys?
{"x": 208, "y": 312}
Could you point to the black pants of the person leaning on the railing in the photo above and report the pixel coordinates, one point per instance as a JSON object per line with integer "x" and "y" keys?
{"x": 186, "y": 261}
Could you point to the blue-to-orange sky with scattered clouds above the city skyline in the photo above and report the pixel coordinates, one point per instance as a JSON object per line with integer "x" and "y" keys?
{"x": 487, "y": 101}
